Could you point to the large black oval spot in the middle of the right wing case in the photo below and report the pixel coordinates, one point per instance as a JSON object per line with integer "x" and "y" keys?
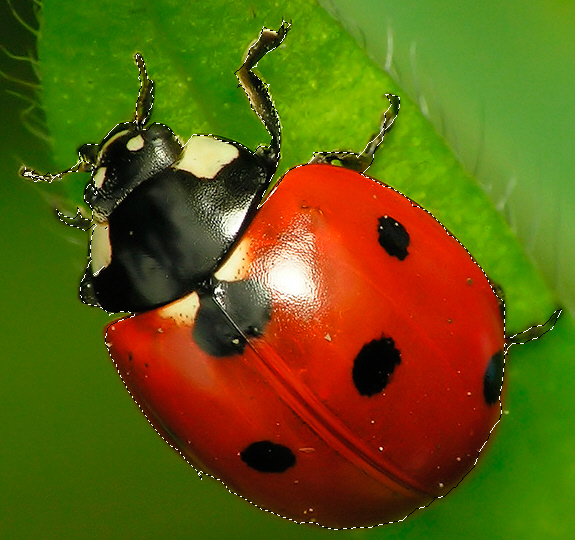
{"x": 374, "y": 365}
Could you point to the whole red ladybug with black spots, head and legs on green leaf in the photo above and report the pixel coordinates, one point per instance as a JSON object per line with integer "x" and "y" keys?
{"x": 330, "y": 352}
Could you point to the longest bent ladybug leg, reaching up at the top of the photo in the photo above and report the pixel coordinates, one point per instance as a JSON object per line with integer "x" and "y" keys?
{"x": 257, "y": 91}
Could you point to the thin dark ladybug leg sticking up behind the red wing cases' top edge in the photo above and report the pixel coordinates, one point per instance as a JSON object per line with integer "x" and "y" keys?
{"x": 361, "y": 162}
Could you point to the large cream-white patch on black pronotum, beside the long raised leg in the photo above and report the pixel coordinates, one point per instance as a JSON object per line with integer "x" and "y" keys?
{"x": 205, "y": 156}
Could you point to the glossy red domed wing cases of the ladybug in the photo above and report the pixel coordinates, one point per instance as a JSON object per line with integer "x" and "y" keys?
{"x": 363, "y": 454}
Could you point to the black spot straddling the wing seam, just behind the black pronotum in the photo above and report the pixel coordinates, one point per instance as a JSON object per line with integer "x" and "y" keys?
{"x": 229, "y": 314}
